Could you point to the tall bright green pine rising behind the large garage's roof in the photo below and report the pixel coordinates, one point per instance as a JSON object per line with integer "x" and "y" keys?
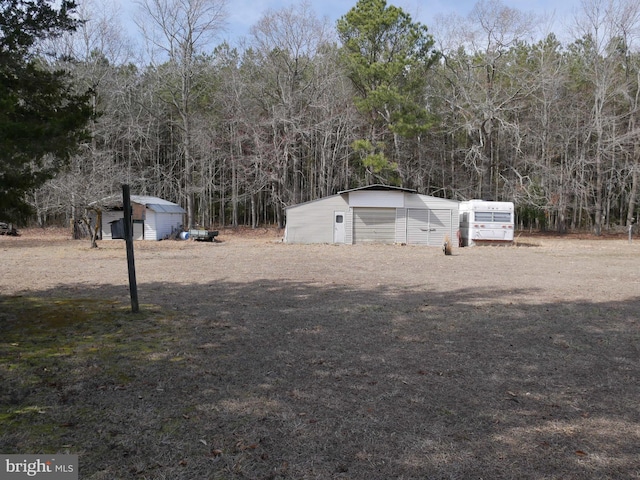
{"x": 387, "y": 56}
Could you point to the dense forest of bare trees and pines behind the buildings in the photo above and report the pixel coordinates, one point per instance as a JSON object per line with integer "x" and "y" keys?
{"x": 483, "y": 106}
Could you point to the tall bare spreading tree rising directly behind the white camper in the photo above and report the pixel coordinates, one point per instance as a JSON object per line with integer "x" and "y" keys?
{"x": 486, "y": 89}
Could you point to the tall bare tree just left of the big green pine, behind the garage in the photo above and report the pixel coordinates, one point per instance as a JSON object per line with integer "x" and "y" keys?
{"x": 287, "y": 45}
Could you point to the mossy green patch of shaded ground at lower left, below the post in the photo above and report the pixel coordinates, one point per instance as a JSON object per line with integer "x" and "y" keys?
{"x": 57, "y": 353}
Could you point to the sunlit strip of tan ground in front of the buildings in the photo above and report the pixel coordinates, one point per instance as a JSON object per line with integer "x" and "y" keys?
{"x": 537, "y": 269}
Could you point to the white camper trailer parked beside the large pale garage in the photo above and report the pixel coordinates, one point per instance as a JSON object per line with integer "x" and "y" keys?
{"x": 483, "y": 222}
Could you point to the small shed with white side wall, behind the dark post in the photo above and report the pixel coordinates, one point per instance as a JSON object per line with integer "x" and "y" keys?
{"x": 153, "y": 218}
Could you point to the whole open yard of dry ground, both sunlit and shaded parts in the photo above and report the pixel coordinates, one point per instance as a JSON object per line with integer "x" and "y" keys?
{"x": 254, "y": 359}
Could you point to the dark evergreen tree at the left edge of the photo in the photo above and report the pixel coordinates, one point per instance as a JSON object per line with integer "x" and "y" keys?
{"x": 41, "y": 117}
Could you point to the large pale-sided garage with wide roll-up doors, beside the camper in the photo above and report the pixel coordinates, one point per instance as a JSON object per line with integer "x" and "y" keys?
{"x": 373, "y": 214}
